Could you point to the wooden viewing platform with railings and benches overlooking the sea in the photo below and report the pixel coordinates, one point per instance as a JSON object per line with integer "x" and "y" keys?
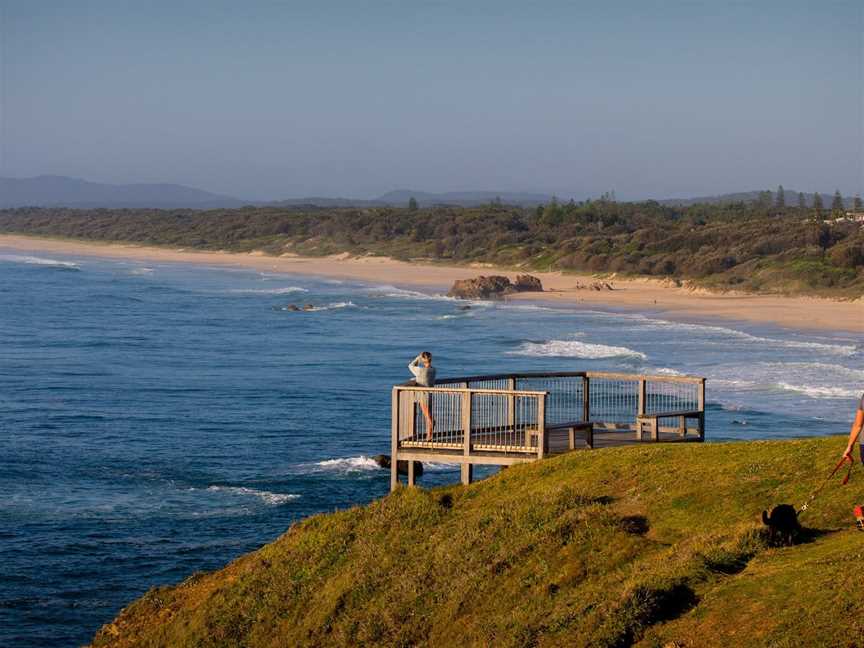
{"x": 506, "y": 419}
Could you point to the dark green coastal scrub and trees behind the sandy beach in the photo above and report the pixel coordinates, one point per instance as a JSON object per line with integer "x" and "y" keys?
{"x": 761, "y": 246}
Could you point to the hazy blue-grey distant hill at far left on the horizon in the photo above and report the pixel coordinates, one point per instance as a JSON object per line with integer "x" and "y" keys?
{"x": 50, "y": 191}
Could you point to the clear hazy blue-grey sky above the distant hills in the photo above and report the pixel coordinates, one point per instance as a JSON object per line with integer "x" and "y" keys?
{"x": 269, "y": 100}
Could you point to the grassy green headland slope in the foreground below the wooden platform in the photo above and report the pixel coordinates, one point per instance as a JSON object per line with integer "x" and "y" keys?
{"x": 652, "y": 546}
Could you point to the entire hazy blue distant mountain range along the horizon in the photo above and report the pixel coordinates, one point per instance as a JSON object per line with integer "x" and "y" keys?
{"x": 61, "y": 191}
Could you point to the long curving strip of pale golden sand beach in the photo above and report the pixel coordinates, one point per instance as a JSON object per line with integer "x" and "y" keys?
{"x": 655, "y": 295}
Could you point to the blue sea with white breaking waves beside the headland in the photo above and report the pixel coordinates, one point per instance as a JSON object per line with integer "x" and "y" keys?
{"x": 161, "y": 419}
